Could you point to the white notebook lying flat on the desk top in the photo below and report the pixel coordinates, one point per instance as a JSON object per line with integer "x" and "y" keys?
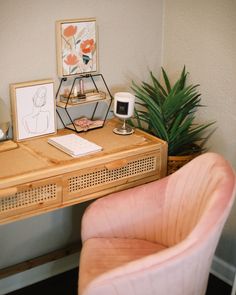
{"x": 74, "y": 145}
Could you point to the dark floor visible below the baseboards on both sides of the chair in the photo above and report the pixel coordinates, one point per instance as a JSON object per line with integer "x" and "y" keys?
{"x": 66, "y": 284}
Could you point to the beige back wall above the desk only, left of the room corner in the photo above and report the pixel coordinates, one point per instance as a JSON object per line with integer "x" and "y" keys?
{"x": 130, "y": 34}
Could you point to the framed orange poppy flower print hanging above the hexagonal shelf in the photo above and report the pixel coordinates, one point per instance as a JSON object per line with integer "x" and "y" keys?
{"x": 77, "y": 47}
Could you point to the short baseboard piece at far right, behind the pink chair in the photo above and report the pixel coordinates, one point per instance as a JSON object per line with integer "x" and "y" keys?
{"x": 223, "y": 270}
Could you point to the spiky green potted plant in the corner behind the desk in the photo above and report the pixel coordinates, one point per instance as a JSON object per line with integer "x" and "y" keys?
{"x": 168, "y": 112}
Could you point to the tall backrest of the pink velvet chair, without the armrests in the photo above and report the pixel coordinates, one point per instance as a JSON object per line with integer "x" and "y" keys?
{"x": 198, "y": 197}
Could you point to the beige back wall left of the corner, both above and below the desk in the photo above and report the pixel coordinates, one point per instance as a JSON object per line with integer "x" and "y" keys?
{"x": 130, "y": 40}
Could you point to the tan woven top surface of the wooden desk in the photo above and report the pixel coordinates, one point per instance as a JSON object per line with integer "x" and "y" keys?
{"x": 35, "y": 159}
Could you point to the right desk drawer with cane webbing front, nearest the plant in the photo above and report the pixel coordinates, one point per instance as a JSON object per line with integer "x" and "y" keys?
{"x": 111, "y": 174}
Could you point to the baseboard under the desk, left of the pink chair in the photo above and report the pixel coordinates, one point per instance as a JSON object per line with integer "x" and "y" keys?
{"x": 38, "y": 273}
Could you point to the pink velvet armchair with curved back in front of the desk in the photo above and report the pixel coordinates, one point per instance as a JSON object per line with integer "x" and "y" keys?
{"x": 158, "y": 238}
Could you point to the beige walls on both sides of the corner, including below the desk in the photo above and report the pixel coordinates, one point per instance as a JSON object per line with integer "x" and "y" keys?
{"x": 200, "y": 34}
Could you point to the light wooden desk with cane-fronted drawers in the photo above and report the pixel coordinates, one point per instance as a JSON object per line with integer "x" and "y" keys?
{"x": 36, "y": 177}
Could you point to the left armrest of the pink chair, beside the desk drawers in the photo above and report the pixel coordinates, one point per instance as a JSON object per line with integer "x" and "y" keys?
{"x": 126, "y": 214}
